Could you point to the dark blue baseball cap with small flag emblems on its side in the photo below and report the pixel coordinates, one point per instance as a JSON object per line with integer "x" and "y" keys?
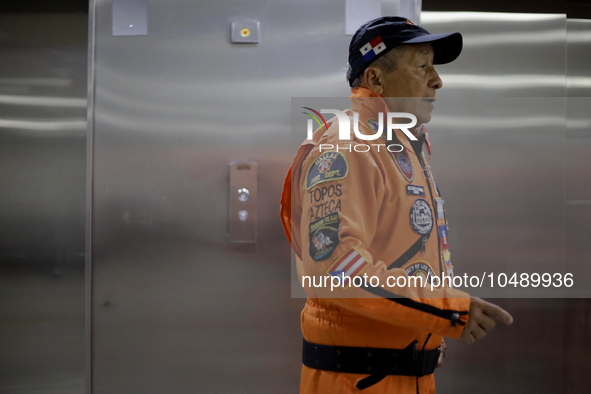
{"x": 378, "y": 36}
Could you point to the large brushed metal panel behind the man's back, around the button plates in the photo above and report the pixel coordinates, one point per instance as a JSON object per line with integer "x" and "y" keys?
{"x": 176, "y": 308}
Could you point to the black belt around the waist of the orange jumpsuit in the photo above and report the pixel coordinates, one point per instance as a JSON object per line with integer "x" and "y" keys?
{"x": 377, "y": 362}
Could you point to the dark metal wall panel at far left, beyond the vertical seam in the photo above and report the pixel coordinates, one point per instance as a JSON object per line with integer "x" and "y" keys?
{"x": 42, "y": 197}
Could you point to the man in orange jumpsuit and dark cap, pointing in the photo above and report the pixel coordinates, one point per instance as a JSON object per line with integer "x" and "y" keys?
{"x": 378, "y": 213}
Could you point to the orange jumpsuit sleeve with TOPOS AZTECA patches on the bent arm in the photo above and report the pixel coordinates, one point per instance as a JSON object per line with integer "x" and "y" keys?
{"x": 347, "y": 231}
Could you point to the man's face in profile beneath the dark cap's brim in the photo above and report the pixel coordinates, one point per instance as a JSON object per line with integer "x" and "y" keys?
{"x": 412, "y": 86}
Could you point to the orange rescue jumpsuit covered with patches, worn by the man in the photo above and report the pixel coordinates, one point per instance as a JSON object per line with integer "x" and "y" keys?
{"x": 374, "y": 206}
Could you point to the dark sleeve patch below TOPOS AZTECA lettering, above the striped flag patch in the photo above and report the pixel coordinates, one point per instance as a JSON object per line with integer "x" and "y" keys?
{"x": 324, "y": 236}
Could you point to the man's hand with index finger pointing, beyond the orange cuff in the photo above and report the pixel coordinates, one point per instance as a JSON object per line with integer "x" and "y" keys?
{"x": 482, "y": 319}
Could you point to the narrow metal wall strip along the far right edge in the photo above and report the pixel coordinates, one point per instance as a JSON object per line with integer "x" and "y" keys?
{"x": 577, "y": 341}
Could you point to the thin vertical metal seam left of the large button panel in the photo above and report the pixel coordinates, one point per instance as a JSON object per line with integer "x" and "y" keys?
{"x": 89, "y": 197}
